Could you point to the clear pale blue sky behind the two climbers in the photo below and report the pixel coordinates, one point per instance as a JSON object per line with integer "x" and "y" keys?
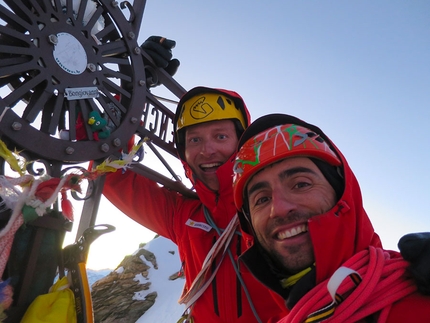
{"x": 357, "y": 69}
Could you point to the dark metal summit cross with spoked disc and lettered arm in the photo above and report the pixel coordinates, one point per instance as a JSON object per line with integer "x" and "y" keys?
{"x": 74, "y": 88}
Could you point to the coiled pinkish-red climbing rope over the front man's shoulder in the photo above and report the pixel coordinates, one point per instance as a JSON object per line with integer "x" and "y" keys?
{"x": 383, "y": 283}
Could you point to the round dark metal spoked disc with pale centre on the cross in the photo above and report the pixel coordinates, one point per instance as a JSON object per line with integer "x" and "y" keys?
{"x": 61, "y": 60}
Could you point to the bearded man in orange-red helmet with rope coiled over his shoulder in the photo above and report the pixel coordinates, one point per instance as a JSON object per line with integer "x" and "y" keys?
{"x": 302, "y": 211}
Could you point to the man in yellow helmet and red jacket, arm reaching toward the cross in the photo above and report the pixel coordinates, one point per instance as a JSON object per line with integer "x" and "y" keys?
{"x": 207, "y": 125}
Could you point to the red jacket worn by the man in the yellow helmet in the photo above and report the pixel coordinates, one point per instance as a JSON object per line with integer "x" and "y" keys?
{"x": 170, "y": 214}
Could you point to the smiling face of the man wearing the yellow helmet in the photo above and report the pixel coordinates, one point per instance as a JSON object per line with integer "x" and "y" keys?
{"x": 207, "y": 146}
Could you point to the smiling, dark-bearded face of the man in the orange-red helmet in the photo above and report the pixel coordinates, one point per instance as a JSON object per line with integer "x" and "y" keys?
{"x": 282, "y": 197}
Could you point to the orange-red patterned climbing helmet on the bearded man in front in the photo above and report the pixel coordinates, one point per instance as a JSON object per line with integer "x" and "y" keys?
{"x": 272, "y": 138}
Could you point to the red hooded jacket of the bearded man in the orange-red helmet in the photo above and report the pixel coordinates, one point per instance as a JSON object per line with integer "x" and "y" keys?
{"x": 340, "y": 237}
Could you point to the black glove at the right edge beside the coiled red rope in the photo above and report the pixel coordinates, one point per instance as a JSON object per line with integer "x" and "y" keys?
{"x": 415, "y": 248}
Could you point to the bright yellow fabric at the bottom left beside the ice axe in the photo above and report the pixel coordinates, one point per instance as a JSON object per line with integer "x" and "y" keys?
{"x": 56, "y": 306}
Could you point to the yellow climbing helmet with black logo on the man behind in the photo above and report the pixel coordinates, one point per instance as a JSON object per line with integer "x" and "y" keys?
{"x": 208, "y": 107}
